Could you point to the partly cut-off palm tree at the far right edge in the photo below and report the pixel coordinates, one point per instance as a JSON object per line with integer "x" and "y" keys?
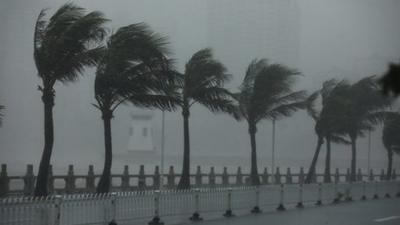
{"x": 391, "y": 139}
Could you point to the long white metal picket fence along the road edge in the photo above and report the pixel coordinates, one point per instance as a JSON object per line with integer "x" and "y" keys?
{"x": 175, "y": 206}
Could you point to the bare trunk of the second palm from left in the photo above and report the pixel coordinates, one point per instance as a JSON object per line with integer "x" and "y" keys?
{"x": 105, "y": 180}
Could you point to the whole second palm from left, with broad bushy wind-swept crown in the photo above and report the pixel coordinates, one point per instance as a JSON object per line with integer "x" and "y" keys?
{"x": 133, "y": 69}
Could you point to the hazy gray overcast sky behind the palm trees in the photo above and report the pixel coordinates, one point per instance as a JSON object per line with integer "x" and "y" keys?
{"x": 341, "y": 38}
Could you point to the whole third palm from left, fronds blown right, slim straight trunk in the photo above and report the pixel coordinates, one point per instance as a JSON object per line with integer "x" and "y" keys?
{"x": 203, "y": 82}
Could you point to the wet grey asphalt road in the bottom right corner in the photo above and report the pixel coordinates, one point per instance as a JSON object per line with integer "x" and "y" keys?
{"x": 371, "y": 212}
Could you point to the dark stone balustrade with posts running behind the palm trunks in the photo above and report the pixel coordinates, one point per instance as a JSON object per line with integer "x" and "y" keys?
{"x": 73, "y": 183}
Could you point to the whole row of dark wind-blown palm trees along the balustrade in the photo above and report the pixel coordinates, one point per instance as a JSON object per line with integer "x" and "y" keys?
{"x": 133, "y": 67}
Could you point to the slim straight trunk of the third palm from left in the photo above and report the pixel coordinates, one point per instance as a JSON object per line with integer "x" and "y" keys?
{"x": 184, "y": 182}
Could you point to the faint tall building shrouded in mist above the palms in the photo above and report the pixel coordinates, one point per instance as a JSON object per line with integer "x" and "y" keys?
{"x": 240, "y": 31}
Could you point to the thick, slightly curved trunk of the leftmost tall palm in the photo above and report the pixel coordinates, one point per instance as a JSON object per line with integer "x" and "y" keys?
{"x": 42, "y": 178}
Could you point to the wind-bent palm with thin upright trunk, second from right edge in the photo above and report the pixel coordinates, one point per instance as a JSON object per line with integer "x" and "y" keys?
{"x": 363, "y": 110}
